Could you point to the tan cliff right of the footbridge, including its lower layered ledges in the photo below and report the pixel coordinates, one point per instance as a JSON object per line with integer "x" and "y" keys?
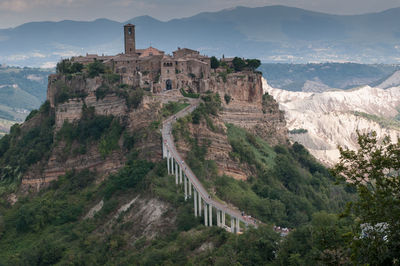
{"x": 248, "y": 108}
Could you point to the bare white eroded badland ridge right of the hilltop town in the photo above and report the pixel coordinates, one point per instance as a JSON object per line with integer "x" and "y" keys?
{"x": 332, "y": 118}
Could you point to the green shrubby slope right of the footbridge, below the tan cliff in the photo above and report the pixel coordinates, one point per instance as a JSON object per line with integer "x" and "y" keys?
{"x": 287, "y": 185}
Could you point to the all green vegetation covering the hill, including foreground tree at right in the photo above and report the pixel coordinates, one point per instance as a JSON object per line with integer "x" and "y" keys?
{"x": 287, "y": 188}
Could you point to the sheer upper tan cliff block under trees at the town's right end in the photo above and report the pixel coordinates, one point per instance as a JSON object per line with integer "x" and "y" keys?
{"x": 247, "y": 108}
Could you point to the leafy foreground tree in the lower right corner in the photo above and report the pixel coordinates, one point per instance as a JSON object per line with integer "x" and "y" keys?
{"x": 374, "y": 170}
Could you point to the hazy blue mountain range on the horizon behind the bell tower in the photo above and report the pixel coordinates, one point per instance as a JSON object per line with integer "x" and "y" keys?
{"x": 272, "y": 33}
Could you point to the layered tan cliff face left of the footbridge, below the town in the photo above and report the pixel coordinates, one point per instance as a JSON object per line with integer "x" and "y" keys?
{"x": 136, "y": 121}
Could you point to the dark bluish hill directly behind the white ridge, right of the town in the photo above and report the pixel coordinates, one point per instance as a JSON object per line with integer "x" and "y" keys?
{"x": 327, "y": 76}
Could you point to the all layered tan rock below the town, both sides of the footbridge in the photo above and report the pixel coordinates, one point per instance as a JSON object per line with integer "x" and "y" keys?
{"x": 242, "y": 101}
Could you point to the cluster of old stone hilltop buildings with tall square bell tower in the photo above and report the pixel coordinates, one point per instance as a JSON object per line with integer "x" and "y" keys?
{"x": 152, "y": 68}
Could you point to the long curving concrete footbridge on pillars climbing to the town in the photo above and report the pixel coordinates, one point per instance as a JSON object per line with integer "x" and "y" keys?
{"x": 203, "y": 203}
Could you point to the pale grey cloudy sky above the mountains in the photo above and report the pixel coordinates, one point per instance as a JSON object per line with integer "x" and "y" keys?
{"x": 17, "y": 12}
